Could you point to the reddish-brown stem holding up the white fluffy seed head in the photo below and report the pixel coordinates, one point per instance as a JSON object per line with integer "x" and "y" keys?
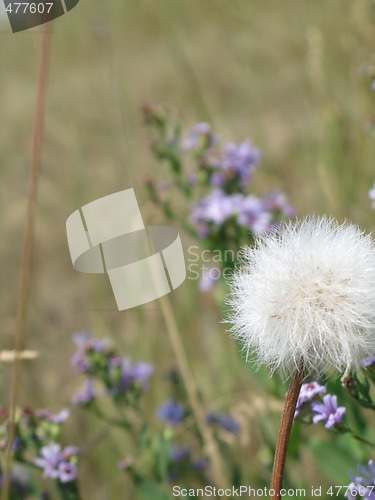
{"x": 287, "y": 417}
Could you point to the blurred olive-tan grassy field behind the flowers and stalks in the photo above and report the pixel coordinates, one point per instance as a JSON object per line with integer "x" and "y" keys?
{"x": 286, "y": 74}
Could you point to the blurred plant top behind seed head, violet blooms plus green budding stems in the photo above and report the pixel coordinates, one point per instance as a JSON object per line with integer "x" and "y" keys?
{"x": 214, "y": 177}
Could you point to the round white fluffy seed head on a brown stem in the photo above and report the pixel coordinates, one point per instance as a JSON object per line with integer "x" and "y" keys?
{"x": 305, "y": 296}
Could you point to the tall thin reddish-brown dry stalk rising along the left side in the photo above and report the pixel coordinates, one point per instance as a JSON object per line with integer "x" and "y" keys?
{"x": 25, "y": 263}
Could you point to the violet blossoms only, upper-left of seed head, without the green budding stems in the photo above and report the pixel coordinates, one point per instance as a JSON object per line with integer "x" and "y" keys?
{"x": 228, "y": 169}
